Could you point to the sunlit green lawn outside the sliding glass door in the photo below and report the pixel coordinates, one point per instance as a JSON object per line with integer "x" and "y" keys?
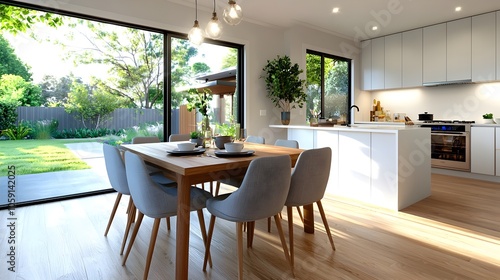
{"x": 39, "y": 156}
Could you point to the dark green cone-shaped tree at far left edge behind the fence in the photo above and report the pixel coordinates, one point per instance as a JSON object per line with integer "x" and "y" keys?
{"x": 10, "y": 63}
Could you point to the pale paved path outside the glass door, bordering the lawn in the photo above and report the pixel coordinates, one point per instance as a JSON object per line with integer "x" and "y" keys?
{"x": 62, "y": 183}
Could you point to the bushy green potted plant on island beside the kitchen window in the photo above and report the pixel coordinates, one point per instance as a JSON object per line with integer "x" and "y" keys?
{"x": 284, "y": 86}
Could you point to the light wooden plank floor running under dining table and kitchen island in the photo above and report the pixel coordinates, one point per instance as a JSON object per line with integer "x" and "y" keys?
{"x": 454, "y": 234}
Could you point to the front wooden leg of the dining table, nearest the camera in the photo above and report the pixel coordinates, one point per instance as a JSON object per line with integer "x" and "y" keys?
{"x": 183, "y": 223}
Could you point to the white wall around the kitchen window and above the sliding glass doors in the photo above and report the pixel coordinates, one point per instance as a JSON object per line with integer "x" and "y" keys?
{"x": 262, "y": 42}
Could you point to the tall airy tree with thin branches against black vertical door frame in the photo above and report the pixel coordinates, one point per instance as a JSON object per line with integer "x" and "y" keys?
{"x": 134, "y": 58}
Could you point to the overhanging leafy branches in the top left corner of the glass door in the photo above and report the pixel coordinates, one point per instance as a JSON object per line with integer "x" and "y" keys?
{"x": 19, "y": 20}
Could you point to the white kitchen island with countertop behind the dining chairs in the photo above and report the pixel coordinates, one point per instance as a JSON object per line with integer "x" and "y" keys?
{"x": 387, "y": 166}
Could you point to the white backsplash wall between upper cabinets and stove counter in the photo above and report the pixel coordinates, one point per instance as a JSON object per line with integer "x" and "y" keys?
{"x": 450, "y": 102}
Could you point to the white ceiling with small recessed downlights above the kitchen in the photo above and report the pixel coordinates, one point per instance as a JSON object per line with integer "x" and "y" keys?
{"x": 355, "y": 16}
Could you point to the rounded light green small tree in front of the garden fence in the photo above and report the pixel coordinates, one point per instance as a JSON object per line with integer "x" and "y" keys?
{"x": 93, "y": 105}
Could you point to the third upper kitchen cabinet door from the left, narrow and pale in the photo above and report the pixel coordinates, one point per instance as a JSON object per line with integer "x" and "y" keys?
{"x": 392, "y": 61}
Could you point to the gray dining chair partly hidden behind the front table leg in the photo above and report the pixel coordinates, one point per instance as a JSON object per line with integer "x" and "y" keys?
{"x": 156, "y": 201}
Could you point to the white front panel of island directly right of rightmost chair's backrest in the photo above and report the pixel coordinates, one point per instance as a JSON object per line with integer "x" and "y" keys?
{"x": 354, "y": 165}
